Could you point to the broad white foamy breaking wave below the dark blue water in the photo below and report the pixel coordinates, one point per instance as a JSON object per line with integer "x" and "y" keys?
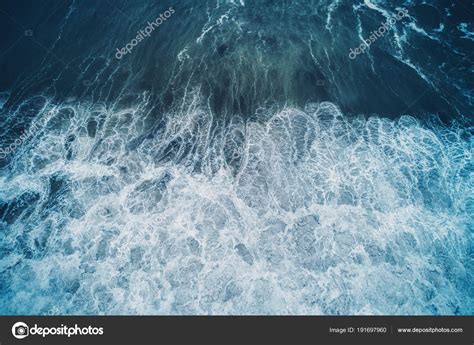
{"x": 305, "y": 211}
